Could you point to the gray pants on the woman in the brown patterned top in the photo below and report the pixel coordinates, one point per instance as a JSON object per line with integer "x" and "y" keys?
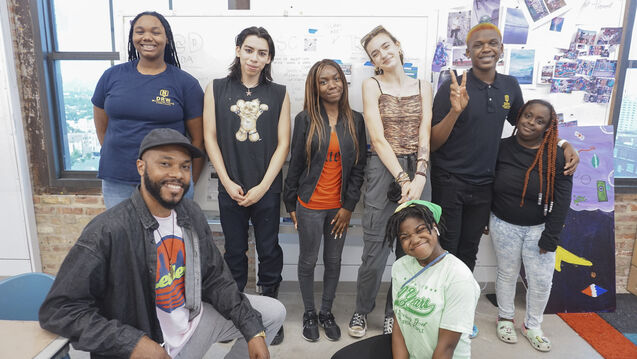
{"x": 378, "y": 209}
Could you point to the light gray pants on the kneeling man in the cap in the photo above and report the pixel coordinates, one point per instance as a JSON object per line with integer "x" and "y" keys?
{"x": 213, "y": 327}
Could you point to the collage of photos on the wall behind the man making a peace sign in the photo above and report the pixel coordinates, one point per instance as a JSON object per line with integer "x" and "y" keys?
{"x": 588, "y": 65}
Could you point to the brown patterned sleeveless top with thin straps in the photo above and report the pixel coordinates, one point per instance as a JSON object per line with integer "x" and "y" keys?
{"x": 401, "y": 118}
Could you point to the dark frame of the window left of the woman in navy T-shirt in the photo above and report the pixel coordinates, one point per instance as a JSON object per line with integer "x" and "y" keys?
{"x": 50, "y": 88}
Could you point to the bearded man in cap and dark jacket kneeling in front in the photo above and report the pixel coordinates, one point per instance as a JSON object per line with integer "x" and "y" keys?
{"x": 145, "y": 280}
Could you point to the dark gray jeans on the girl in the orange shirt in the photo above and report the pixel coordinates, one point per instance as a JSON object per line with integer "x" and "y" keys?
{"x": 314, "y": 225}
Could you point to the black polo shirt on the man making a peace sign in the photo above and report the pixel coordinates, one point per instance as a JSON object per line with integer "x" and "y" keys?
{"x": 472, "y": 147}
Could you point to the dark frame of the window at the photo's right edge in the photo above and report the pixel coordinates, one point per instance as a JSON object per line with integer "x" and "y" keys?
{"x": 624, "y": 185}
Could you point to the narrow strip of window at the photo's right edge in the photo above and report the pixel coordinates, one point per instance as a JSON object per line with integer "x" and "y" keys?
{"x": 625, "y": 111}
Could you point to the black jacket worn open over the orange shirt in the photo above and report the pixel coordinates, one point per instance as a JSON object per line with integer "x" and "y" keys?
{"x": 301, "y": 182}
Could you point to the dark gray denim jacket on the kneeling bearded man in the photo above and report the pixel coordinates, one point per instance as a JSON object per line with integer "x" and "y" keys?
{"x": 103, "y": 298}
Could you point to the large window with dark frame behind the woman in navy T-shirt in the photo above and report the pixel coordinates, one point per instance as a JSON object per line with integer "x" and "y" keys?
{"x": 78, "y": 39}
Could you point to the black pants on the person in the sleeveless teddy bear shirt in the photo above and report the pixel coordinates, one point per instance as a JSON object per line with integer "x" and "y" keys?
{"x": 265, "y": 219}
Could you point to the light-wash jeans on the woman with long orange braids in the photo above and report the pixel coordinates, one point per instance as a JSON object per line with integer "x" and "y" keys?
{"x": 515, "y": 245}
